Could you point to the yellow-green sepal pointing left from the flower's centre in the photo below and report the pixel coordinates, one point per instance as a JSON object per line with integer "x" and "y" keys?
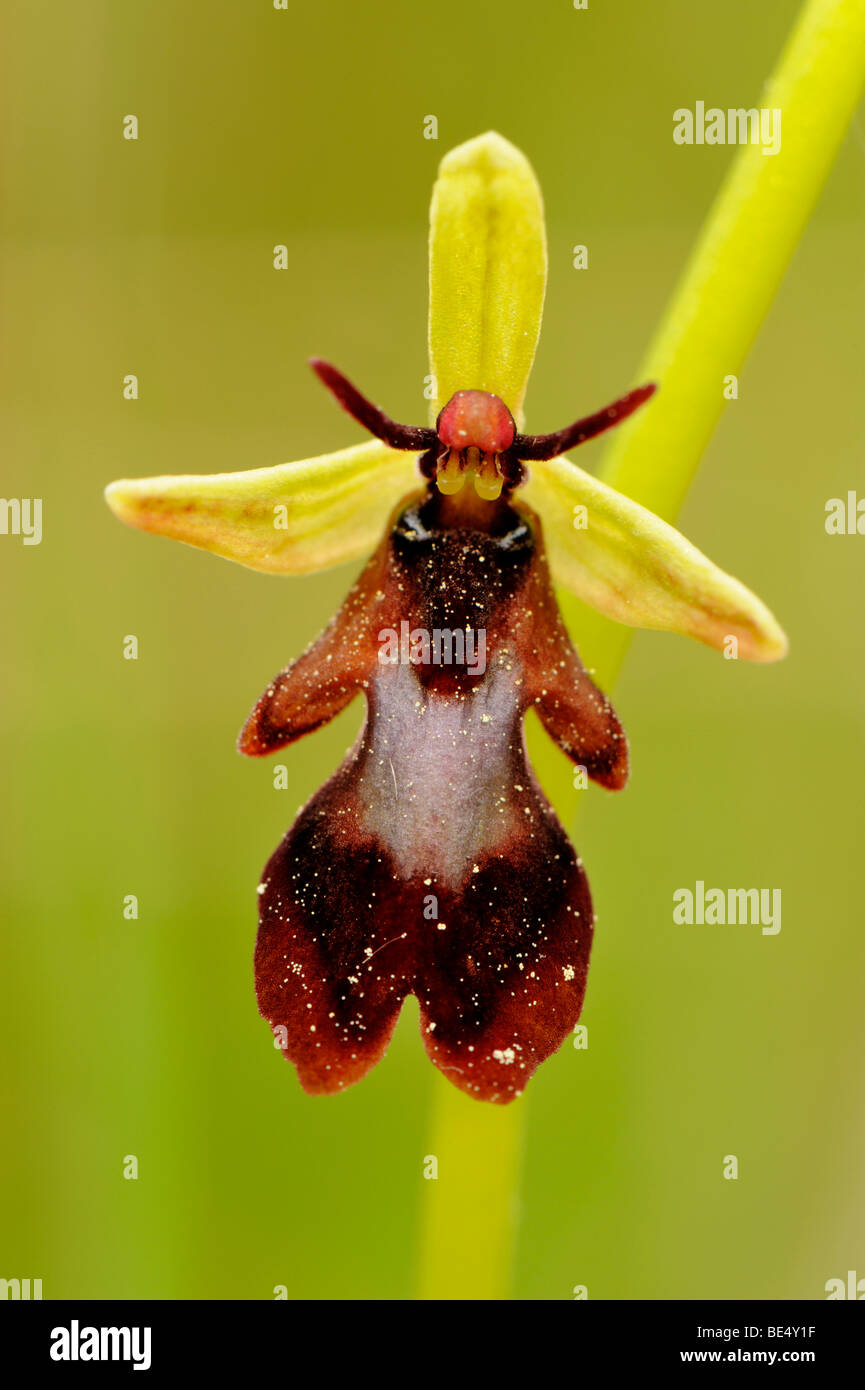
{"x": 291, "y": 519}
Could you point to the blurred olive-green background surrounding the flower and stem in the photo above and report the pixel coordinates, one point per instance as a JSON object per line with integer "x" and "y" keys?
{"x": 143, "y": 1038}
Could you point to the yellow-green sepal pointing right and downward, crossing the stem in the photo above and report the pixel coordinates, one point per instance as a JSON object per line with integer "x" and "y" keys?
{"x": 636, "y": 569}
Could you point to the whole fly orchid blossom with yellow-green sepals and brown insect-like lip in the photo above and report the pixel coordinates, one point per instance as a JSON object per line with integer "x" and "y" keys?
{"x": 430, "y": 864}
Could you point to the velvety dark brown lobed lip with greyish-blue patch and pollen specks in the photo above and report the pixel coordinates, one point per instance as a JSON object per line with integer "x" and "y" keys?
{"x": 432, "y": 864}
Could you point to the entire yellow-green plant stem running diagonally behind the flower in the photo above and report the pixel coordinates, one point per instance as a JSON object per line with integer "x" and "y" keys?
{"x": 469, "y": 1221}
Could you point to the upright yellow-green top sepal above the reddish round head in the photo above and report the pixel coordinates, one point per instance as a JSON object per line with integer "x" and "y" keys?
{"x": 487, "y": 272}
